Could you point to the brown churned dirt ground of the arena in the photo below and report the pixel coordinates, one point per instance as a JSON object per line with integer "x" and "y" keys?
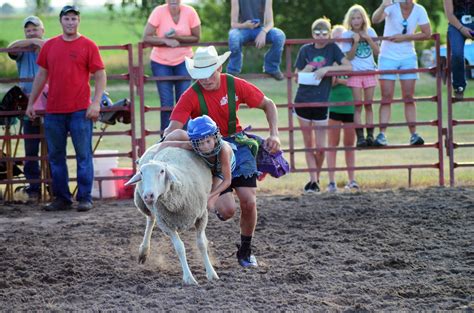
{"x": 379, "y": 250}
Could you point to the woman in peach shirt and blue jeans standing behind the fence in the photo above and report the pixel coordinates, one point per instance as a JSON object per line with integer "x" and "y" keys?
{"x": 169, "y": 26}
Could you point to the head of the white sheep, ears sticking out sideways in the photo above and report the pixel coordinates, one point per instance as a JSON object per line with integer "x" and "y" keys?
{"x": 156, "y": 180}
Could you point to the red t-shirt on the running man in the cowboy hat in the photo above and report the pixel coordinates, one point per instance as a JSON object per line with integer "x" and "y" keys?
{"x": 217, "y": 105}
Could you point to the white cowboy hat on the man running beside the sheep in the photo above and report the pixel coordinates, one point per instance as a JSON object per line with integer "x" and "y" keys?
{"x": 205, "y": 62}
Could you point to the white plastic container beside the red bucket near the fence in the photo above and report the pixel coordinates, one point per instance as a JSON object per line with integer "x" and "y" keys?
{"x": 103, "y": 167}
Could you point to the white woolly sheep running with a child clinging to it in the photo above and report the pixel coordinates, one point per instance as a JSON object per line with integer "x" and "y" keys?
{"x": 172, "y": 189}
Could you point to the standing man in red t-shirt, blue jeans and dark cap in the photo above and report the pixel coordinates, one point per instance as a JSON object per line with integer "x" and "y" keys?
{"x": 65, "y": 62}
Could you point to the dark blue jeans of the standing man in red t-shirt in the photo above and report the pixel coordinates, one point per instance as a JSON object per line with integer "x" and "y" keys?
{"x": 57, "y": 127}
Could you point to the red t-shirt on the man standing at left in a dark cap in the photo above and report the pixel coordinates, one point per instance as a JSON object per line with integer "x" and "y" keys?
{"x": 69, "y": 64}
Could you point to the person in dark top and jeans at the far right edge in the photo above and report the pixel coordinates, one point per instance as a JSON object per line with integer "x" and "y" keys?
{"x": 460, "y": 15}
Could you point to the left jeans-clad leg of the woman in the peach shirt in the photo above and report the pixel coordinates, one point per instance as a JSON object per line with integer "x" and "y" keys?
{"x": 165, "y": 91}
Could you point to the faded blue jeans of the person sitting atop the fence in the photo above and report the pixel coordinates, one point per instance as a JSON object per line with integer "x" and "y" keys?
{"x": 237, "y": 37}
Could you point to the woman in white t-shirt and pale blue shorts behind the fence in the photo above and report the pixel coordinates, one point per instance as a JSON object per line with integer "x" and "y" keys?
{"x": 398, "y": 53}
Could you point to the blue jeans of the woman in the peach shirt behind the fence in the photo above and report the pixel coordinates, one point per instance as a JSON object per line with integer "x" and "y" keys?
{"x": 165, "y": 88}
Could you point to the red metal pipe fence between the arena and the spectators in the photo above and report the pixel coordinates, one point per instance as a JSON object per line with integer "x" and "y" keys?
{"x": 136, "y": 79}
